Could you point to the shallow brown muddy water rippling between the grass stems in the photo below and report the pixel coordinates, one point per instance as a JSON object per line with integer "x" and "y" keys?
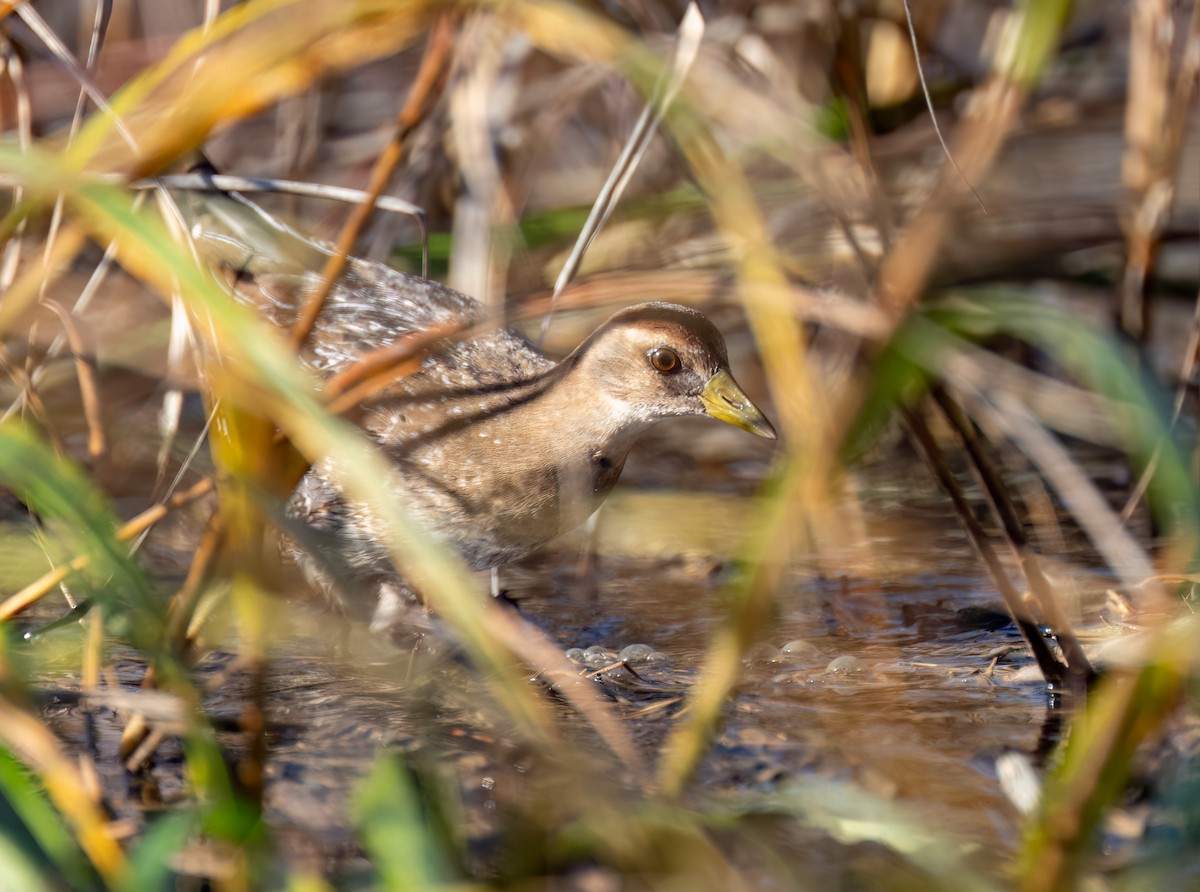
{"x": 889, "y": 671}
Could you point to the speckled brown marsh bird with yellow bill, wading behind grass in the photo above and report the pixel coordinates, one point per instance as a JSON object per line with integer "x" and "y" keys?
{"x": 495, "y": 448}
